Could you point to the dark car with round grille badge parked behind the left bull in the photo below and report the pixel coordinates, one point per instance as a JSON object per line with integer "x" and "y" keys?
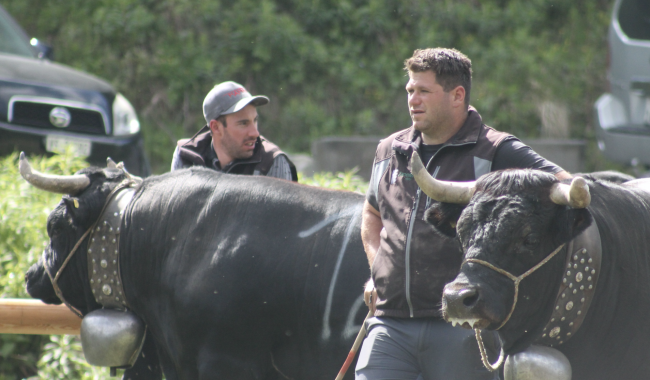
{"x": 46, "y": 107}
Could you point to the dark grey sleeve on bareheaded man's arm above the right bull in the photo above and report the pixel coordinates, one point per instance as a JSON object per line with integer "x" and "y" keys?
{"x": 513, "y": 153}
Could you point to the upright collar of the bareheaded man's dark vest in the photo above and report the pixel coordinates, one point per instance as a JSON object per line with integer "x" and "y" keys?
{"x": 410, "y": 139}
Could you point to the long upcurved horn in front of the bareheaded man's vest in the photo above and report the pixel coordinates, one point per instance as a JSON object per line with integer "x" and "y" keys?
{"x": 441, "y": 191}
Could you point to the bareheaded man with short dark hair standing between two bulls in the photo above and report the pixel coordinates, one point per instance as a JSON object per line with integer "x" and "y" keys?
{"x": 410, "y": 263}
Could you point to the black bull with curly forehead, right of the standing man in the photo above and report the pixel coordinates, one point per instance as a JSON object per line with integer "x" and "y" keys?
{"x": 511, "y": 223}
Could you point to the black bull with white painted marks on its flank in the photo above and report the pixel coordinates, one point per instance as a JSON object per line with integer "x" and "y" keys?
{"x": 236, "y": 277}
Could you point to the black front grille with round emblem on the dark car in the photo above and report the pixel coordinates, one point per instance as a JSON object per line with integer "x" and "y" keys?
{"x": 37, "y": 115}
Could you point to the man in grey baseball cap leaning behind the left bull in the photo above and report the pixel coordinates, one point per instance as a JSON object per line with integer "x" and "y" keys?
{"x": 230, "y": 141}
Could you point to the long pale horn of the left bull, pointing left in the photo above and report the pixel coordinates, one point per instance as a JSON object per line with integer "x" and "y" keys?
{"x": 69, "y": 184}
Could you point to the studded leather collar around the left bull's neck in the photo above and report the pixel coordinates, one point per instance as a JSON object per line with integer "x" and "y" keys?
{"x": 103, "y": 253}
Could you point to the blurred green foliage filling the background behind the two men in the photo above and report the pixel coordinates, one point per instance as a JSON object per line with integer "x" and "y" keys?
{"x": 330, "y": 67}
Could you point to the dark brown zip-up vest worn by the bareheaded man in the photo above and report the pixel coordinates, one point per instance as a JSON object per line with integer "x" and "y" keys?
{"x": 413, "y": 263}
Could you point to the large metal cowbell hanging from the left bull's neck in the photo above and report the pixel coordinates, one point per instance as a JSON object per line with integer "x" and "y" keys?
{"x": 112, "y": 338}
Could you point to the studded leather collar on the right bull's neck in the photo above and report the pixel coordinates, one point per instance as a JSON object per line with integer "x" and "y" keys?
{"x": 581, "y": 270}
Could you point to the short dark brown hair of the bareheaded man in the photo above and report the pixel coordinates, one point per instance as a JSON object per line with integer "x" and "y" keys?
{"x": 452, "y": 68}
